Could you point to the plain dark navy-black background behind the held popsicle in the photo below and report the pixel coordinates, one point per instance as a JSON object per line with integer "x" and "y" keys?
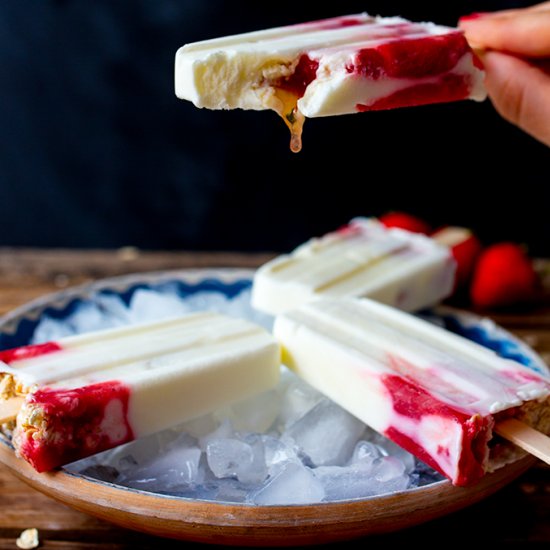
{"x": 96, "y": 150}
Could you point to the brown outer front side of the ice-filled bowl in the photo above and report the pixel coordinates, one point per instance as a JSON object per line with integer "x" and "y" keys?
{"x": 249, "y": 525}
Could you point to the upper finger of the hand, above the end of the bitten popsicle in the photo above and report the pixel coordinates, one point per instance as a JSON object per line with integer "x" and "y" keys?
{"x": 525, "y": 34}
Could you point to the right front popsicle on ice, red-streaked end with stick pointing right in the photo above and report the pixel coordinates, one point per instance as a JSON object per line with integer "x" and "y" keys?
{"x": 437, "y": 394}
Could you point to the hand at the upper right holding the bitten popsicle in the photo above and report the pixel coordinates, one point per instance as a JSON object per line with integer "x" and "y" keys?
{"x": 514, "y": 46}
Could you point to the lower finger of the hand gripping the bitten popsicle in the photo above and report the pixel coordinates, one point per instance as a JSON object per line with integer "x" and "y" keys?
{"x": 520, "y": 92}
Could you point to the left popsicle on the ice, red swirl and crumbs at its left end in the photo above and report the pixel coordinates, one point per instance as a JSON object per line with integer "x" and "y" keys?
{"x": 88, "y": 393}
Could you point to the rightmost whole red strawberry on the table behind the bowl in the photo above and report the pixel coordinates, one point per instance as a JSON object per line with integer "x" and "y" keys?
{"x": 504, "y": 275}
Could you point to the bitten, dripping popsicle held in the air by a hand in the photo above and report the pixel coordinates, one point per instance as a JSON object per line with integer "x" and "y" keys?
{"x": 334, "y": 66}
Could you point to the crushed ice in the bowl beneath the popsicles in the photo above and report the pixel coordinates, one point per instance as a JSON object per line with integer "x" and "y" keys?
{"x": 290, "y": 445}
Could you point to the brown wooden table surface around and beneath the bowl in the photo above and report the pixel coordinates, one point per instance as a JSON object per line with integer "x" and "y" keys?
{"x": 517, "y": 515}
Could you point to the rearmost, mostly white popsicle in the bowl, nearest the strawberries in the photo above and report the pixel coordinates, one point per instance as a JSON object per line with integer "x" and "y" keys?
{"x": 364, "y": 258}
